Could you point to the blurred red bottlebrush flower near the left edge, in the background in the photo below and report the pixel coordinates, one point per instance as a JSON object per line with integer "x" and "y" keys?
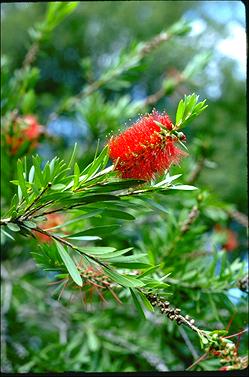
{"x": 24, "y": 129}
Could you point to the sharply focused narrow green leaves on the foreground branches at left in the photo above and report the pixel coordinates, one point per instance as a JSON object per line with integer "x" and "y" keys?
{"x": 55, "y": 189}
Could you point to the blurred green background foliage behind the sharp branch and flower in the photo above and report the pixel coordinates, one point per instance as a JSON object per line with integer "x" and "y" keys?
{"x": 41, "y": 333}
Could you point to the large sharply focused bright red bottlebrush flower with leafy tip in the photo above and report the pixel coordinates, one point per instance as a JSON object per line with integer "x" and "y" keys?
{"x": 145, "y": 148}
